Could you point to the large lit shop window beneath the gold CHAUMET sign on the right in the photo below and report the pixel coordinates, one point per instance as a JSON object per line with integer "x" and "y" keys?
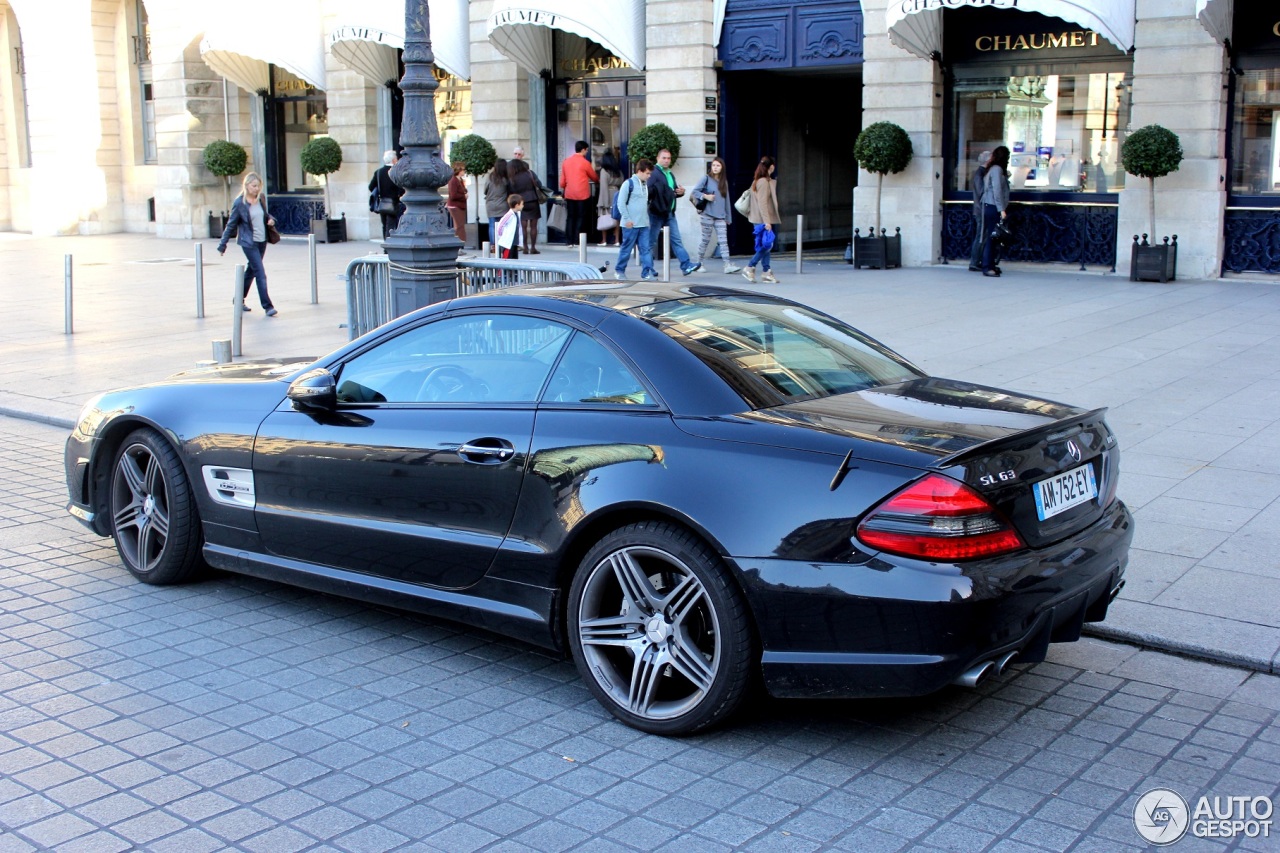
{"x": 1063, "y": 131}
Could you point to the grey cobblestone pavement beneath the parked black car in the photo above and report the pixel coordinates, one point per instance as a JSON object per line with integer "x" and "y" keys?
{"x": 237, "y": 714}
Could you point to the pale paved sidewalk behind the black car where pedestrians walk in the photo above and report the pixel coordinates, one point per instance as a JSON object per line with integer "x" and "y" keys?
{"x": 1187, "y": 370}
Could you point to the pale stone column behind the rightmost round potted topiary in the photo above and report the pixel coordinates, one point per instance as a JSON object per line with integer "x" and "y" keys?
{"x": 1180, "y": 83}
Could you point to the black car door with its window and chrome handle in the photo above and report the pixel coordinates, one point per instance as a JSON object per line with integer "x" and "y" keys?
{"x": 417, "y": 475}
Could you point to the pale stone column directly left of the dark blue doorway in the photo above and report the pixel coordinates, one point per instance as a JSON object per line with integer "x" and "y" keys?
{"x": 680, "y": 76}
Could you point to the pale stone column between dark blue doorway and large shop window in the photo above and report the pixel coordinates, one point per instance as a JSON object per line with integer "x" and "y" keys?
{"x": 907, "y": 90}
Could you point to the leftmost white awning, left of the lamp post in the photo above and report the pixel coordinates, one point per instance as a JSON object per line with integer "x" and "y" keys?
{"x": 287, "y": 37}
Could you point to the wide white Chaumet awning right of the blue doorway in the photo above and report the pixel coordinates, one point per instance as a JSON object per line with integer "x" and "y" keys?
{"x": 916, "y": 26}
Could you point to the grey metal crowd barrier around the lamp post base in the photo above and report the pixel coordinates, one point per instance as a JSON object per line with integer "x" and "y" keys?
{"x": 369, "y": 286}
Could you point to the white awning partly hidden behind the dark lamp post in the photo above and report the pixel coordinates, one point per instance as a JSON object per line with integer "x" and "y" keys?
{"x": 371, "y": 33}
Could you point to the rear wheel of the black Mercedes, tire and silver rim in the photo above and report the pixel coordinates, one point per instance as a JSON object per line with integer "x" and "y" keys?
{"x": 660, "y": 631}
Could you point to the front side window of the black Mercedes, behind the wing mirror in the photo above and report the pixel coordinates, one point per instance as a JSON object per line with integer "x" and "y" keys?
{"x": 472, "y": 359}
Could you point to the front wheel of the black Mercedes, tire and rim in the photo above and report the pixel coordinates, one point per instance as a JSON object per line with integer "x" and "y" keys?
{"x": 154, "y": 518}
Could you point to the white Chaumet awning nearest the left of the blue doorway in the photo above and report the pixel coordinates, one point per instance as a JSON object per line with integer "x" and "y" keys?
{"x": 522, "y": 30}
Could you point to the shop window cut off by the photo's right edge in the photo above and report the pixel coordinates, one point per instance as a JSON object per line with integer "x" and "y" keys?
{"x": 1256, "y": 134}
